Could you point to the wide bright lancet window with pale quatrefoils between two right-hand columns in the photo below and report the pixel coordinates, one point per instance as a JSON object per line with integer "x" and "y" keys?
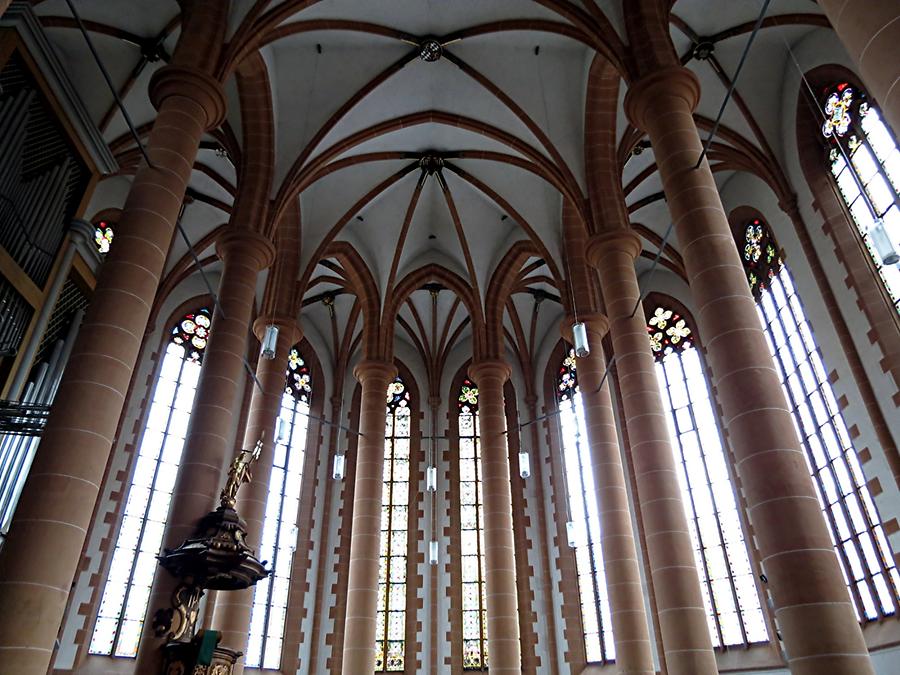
{"x": 726, "y": 577}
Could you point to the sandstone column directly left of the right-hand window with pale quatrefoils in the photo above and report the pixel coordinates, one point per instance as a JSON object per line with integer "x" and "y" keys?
{"x": 682, "y": 616}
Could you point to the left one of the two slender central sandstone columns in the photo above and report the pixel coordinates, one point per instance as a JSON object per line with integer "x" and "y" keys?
{"x": 365, "y": 538}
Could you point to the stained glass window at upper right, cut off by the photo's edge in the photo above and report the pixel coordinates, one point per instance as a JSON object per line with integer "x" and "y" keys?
{"x": 865, "y": 162}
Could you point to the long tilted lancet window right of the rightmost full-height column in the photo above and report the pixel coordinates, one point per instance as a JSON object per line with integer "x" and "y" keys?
{"x": 856, "y": 530}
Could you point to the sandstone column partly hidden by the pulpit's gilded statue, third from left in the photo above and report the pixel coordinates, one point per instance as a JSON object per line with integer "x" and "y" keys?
{"x": 232, "y": 612}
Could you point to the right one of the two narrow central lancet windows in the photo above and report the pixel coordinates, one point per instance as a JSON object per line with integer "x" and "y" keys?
{"x": 471, "y": 511}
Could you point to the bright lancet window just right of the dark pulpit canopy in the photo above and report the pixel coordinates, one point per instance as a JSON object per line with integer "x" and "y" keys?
{"x": 279, "y": 534}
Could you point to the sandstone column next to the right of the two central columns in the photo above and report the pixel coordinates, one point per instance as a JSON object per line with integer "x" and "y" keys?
{"x": 623, "y": 577}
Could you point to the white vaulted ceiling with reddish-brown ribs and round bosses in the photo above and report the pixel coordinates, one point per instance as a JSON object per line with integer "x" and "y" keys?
{"x": 446, "y": 163}
